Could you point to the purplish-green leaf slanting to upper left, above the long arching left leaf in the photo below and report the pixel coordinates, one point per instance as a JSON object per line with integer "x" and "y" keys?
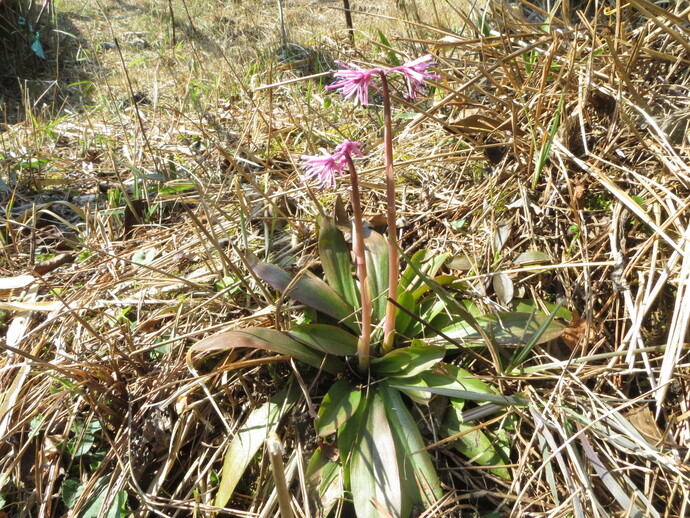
{"x": 309, "y": 290}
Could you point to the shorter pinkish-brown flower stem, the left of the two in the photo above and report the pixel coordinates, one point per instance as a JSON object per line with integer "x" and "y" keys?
{"x": 364, "y": 342}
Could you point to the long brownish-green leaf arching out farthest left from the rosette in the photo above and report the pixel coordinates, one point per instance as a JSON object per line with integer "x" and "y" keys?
{"x": 269, "y": 340}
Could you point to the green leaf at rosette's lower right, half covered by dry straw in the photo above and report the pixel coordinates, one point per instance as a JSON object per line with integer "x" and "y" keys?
{"x": 474, "y": 444}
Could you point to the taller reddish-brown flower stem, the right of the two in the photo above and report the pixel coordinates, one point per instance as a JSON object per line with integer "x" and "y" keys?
{"x": 393, "y": 256}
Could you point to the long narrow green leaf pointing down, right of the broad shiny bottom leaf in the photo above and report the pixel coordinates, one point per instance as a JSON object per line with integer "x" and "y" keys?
{"x": 425, "y": 484}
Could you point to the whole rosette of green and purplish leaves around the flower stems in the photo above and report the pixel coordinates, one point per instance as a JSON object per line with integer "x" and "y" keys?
{"x": 381, "y": 456}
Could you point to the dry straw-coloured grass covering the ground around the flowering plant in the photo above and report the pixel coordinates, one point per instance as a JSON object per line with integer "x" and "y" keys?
{"x": 569, "y": 140}
